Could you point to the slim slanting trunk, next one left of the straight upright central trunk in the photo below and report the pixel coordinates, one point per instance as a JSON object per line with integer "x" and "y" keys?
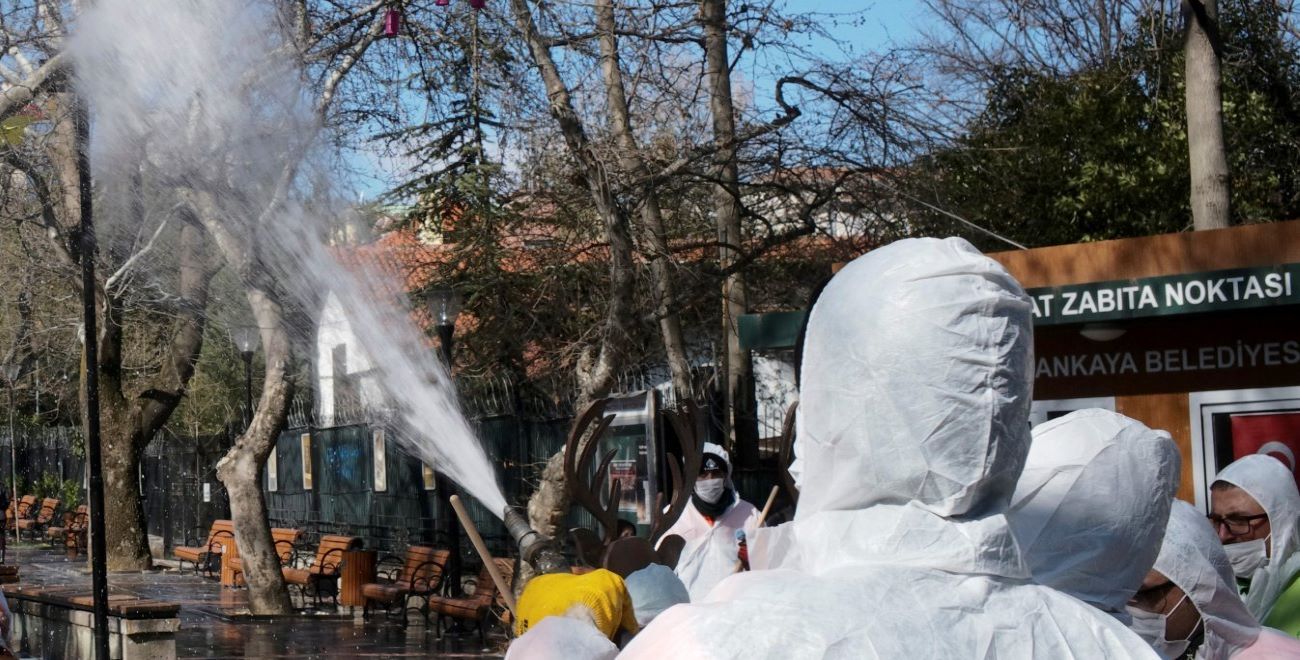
{"x": 652, "y": 216}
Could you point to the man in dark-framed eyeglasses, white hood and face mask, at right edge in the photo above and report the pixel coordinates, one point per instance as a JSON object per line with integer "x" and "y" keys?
{"x": 1255, "y": 507}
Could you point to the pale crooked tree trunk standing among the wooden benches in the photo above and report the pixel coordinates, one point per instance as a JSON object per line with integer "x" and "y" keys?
{"x": 241, "y": 468}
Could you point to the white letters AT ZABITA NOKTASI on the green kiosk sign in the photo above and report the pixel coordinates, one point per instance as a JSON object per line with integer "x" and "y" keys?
{"x": 1134, "y": 299}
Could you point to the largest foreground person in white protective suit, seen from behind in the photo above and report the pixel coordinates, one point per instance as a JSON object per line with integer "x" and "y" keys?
{"x": 912, "y": 433}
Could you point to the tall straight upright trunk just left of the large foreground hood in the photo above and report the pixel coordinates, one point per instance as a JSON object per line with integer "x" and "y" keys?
{"x": 740, "y": 416}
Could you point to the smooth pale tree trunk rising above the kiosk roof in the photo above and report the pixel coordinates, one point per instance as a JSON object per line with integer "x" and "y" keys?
{"x": 1207, "y": 150}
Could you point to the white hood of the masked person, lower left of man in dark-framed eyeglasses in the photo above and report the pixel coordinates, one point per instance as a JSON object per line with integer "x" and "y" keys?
{"x": 1193, "y": 558}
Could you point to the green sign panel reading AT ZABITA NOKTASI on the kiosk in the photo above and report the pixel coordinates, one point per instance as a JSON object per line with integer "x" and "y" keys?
{"x": 1167, "y": 296}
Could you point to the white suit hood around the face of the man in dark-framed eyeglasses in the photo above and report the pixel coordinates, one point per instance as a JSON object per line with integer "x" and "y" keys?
{"x": 1273, "y": 487}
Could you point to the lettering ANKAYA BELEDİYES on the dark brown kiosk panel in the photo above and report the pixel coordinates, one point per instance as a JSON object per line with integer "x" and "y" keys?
{"x": 1240, "y": 355}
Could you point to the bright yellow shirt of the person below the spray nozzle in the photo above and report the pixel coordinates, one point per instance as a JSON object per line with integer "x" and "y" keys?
{"x": 600, "y": 592}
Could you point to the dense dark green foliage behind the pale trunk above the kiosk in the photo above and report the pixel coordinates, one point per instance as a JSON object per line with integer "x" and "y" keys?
{"x": 1102, "y": 153}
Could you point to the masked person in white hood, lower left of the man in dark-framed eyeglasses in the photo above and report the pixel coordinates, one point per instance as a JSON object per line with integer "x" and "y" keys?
{"x": 1189, "y": 606}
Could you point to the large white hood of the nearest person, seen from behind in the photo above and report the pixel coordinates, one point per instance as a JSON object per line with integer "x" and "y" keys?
{"x": 916, "y": 384}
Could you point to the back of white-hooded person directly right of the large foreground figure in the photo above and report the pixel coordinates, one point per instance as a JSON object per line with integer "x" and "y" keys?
{"x": 1091, "y": 506}
